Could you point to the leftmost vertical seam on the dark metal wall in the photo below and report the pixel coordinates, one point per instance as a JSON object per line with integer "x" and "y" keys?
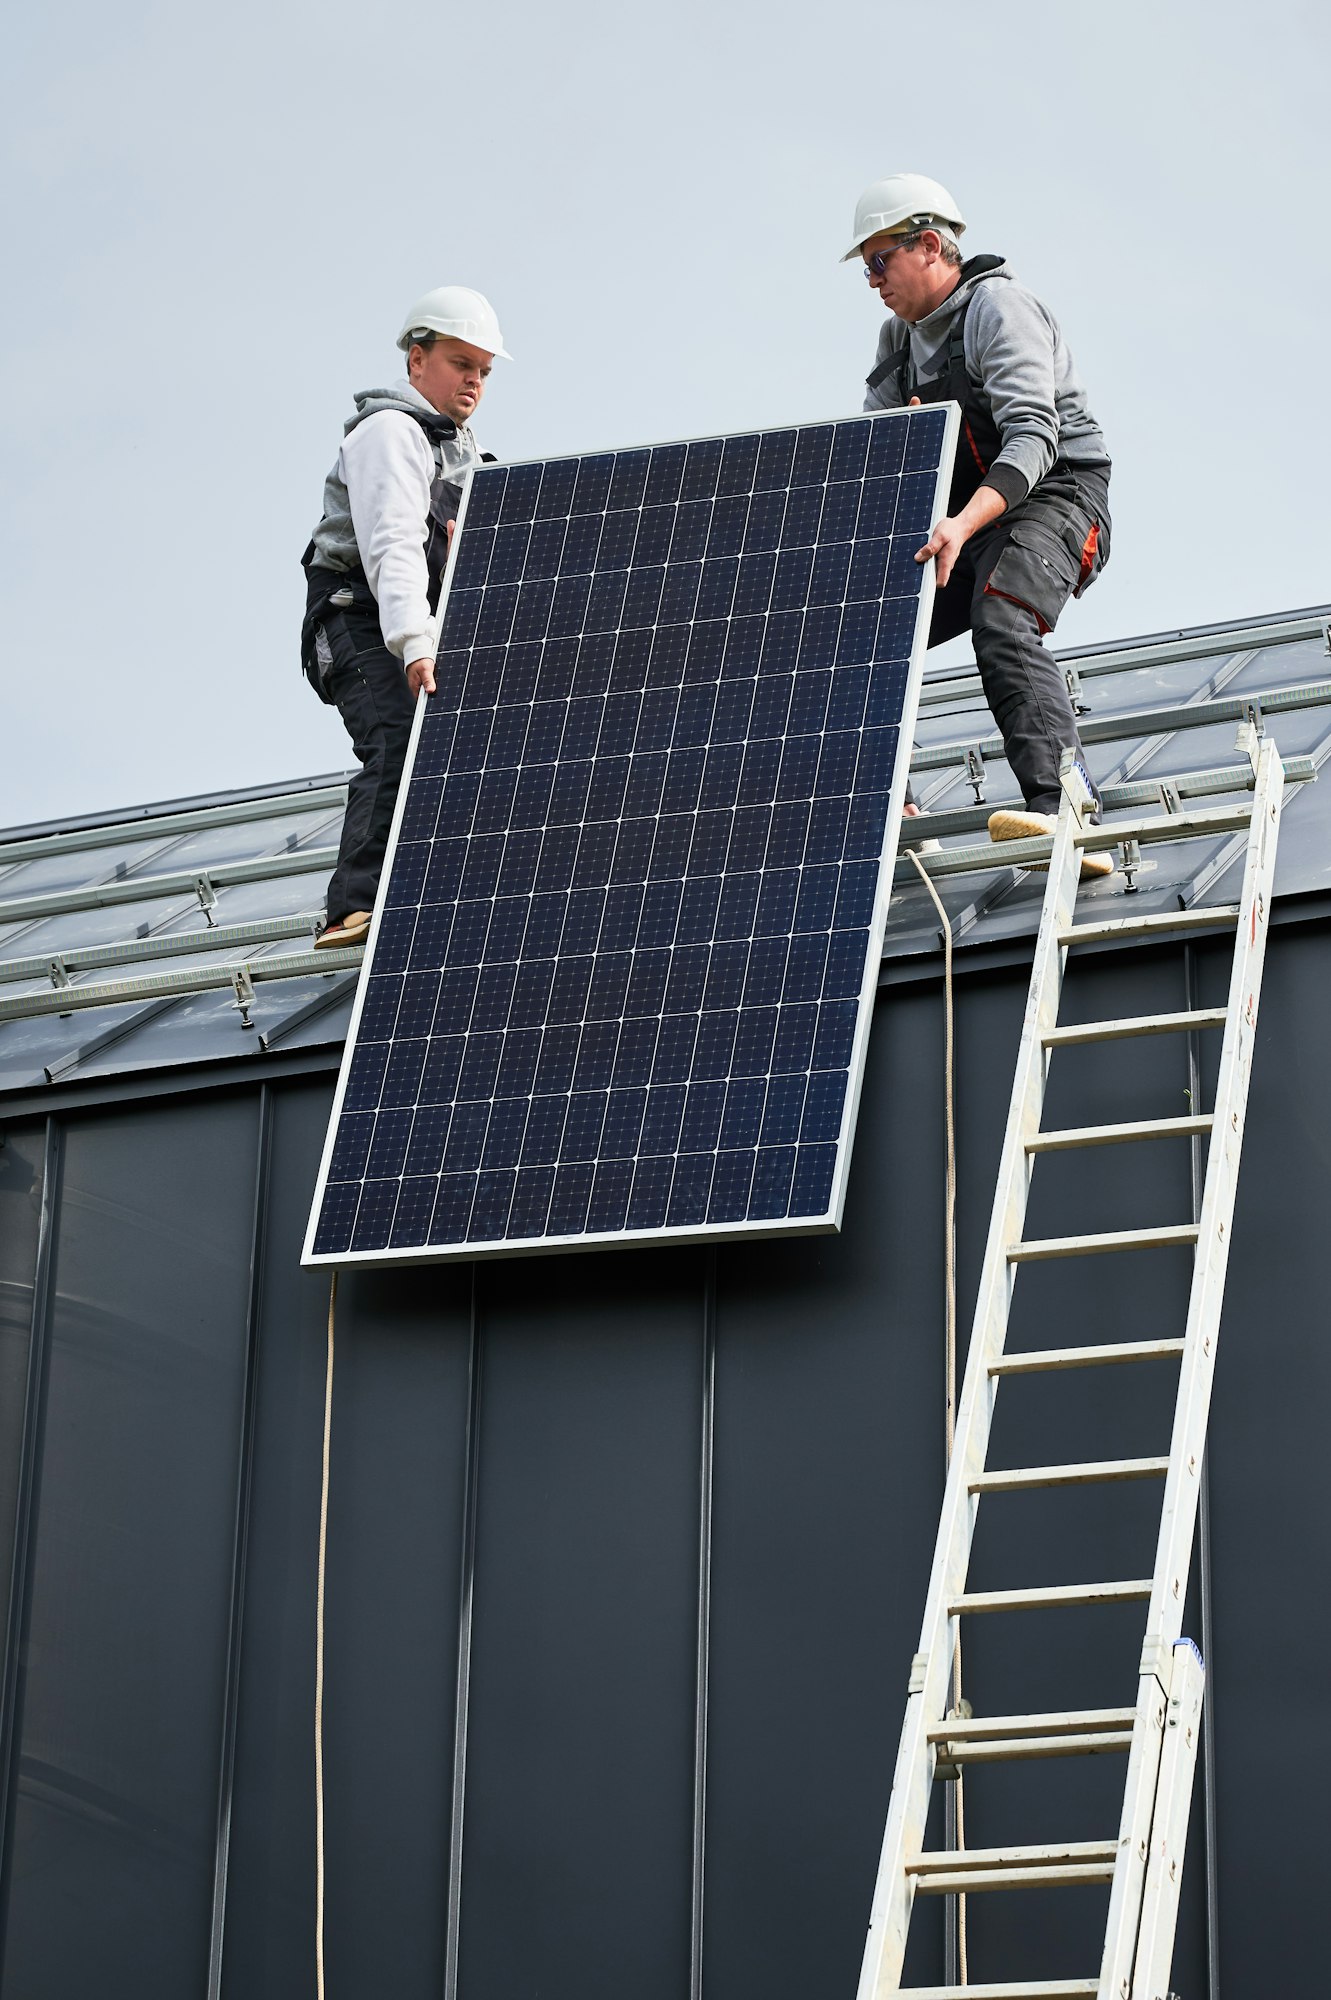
{"x": 25, "y": 1513}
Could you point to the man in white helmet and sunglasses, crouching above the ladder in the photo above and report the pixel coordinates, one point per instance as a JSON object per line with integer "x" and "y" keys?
{"x": 1028, "y": 515}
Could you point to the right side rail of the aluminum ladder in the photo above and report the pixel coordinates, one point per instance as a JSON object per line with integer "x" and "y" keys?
{"x": 1198, "y": 1365}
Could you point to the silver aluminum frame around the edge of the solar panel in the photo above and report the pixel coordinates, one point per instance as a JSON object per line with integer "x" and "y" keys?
{"x": 746, "y": 1229}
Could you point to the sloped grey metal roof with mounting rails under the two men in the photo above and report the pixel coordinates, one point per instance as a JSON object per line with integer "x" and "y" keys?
{"x": 273, "y": 829}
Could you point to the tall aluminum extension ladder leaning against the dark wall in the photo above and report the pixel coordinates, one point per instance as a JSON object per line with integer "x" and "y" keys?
{"x": 1160, "y": 1733}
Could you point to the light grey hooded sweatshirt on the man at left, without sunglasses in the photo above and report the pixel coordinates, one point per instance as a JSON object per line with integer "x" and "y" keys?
{"x": 377, "y": 503}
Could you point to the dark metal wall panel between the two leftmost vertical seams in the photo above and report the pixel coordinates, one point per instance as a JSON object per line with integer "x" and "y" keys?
{"x": 127, "y": 1615}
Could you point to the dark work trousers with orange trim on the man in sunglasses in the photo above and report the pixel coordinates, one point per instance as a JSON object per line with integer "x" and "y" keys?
{"x": 1010, "y": 585}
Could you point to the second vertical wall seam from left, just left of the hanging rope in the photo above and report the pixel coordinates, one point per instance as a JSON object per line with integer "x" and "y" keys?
{"x": 241, "y": 1547}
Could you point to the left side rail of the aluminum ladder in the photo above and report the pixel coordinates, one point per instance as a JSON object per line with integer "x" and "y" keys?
{"x": 932, "y": 1667}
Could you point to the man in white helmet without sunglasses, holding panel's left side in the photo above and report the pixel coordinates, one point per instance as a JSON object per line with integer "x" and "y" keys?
{"x": 377, "y": 563}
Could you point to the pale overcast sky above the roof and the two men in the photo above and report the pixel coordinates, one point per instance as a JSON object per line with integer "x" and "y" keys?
{"x": 215, "y": 221}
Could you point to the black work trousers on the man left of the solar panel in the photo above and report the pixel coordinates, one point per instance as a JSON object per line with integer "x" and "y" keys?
{"x": 369, "y": 687}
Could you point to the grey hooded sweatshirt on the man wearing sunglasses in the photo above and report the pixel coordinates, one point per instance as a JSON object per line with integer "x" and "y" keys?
{"x": 1018, "y": 357}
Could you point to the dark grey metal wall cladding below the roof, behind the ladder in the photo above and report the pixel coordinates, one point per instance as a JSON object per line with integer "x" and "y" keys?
{"x": 161, "y": 1779}
